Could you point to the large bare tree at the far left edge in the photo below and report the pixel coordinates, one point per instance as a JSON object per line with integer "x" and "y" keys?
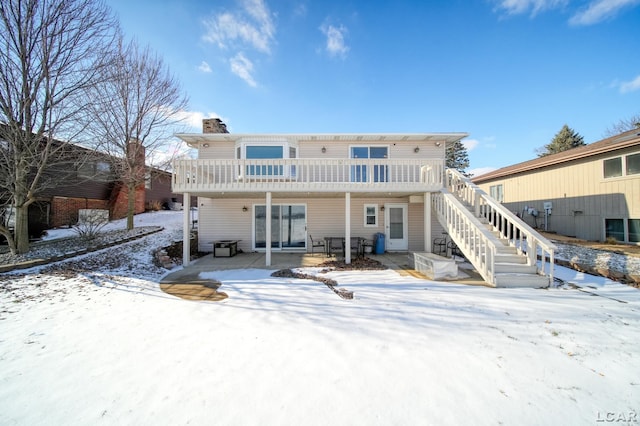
{"x": 51, "y": 52}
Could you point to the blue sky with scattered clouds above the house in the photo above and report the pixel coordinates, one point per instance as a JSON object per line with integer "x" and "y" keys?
{"x": 510, "y": 73}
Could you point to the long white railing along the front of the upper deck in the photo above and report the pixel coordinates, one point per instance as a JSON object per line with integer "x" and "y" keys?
{"x": 319, "y": 175}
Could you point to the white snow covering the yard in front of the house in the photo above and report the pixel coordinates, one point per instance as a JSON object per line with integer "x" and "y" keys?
{"x": 108, "y": 347}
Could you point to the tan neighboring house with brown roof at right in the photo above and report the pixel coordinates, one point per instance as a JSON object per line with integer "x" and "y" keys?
{"x": 590, "y": 192}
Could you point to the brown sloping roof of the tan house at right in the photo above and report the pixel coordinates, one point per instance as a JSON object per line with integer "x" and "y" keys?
{"x": 614, "y": 143}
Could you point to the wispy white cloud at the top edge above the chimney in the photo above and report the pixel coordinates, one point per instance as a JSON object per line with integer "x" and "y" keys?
{"x": 250, "y": 26}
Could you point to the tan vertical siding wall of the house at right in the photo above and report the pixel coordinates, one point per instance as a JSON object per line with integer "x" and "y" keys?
{"x": 582, "y": 198}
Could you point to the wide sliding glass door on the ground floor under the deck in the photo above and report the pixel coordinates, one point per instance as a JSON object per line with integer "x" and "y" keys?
{"x": 288, "y": 227}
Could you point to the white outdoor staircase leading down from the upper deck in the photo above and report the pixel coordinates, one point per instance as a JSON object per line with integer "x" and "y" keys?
{"x": 502, "y": 248}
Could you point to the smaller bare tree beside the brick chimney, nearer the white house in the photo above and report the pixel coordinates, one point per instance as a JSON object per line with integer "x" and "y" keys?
{"x": 138, "y": 105}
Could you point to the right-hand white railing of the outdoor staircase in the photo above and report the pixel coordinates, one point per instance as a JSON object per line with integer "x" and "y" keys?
{"x": 510, "y": 227}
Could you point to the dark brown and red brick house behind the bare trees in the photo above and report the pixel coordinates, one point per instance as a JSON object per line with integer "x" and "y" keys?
{"x": 89, "y": 183}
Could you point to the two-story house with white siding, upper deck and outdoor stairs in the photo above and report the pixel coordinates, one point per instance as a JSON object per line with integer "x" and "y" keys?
{"x": 273, "y": 192}
